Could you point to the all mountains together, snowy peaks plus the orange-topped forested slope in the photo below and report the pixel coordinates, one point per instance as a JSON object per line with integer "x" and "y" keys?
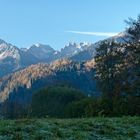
{"x": 24, "y": 71}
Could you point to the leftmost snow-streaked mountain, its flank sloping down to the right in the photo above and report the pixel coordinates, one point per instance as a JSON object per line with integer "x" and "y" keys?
{"x": 13, "y": 59}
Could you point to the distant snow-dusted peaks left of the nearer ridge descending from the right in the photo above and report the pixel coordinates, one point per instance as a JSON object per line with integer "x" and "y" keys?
{"x": 13, "y": 58}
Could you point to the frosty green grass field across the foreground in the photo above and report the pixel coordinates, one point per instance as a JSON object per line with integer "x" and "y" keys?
{"x": 125, "y": 128}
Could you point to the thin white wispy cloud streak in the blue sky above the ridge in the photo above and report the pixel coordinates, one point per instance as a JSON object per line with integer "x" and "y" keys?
{"x": 105, "y": 34}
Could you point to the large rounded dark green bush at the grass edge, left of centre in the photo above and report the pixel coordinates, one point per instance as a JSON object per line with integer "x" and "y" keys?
{"x": 53, "y": 101}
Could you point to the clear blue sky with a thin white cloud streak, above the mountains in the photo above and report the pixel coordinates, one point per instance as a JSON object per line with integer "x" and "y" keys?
{"x": 56, "y": 22}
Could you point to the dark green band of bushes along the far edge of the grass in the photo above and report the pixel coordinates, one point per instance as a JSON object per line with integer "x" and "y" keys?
{"x": 67, "y": 102}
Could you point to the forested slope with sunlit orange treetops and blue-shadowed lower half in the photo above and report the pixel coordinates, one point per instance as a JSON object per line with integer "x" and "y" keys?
{"x": 20, "y": 85}
